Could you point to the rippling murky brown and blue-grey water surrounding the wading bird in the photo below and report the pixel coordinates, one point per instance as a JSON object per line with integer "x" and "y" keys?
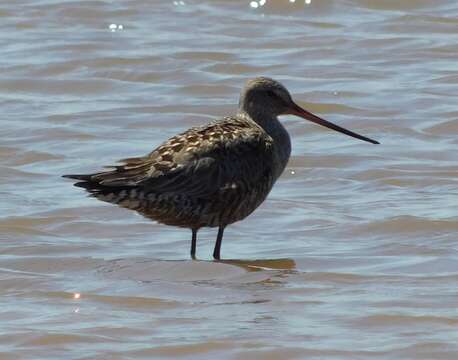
{"x": 354, "y": 254}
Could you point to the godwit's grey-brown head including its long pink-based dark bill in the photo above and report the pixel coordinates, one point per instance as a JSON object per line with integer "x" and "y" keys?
{"x": 265, "y": 97}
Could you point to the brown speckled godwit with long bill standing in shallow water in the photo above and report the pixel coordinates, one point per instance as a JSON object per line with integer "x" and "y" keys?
{"x": 213, "y": 175}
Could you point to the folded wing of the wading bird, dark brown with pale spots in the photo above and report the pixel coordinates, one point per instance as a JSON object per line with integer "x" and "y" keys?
{"x": 197, "y": 162}
